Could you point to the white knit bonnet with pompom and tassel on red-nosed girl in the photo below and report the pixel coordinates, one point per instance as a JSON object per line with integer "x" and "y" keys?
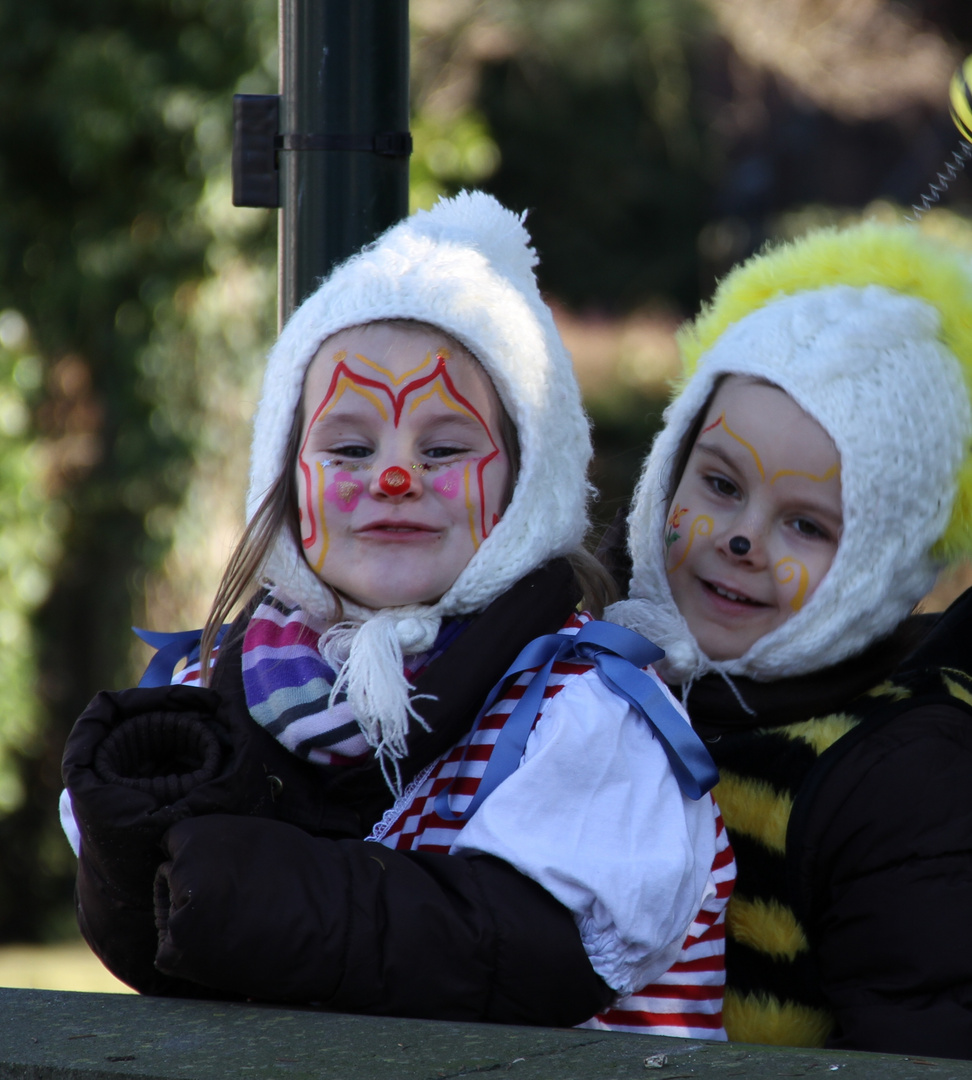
{"x": 466, "y": 267}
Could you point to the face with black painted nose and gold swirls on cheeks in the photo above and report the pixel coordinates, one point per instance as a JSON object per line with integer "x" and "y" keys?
{"x": 765, "y": 472}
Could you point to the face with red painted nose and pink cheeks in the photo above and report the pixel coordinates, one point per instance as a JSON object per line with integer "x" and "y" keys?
{"x": 401, "y": 469}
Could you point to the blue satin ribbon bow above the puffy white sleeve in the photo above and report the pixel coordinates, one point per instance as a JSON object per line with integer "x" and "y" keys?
{"x": 618, "y": 656}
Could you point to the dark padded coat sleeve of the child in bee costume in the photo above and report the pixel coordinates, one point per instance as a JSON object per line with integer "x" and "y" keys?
{"x": 892, "y": 849}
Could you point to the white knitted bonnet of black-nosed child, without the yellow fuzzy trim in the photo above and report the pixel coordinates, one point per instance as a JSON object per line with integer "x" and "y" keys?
{"x": 861, "y": 362}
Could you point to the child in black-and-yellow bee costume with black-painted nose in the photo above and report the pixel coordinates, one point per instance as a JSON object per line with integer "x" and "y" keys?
{"x": 812, "y": 478}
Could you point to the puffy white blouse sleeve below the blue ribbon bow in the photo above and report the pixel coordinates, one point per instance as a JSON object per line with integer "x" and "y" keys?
{"x": 596, "y": 816}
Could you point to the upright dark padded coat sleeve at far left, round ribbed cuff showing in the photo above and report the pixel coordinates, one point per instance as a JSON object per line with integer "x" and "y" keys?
{"x": 137, "y": 762}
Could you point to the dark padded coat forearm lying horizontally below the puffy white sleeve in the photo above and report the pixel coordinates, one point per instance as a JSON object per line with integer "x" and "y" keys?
{"x": 263, "y": 909}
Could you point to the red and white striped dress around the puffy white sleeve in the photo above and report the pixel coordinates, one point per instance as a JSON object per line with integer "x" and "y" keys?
{"x": 687, "y": 1000}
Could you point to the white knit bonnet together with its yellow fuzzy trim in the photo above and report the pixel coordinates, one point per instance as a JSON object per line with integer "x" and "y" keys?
{"x": 870, "y": 332}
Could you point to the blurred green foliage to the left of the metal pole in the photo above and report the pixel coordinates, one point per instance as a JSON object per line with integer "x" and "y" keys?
{"x": 115, "y": 128}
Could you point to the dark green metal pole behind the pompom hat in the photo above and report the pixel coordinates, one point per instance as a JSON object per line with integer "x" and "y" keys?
{"x": 344, "y": 143}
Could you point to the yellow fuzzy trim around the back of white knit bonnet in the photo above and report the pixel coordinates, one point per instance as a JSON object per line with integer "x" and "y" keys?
{"x": 897, "y": 258}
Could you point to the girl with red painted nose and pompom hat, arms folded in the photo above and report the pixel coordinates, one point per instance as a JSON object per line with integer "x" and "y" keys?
{"x": 322, "y": 814}
